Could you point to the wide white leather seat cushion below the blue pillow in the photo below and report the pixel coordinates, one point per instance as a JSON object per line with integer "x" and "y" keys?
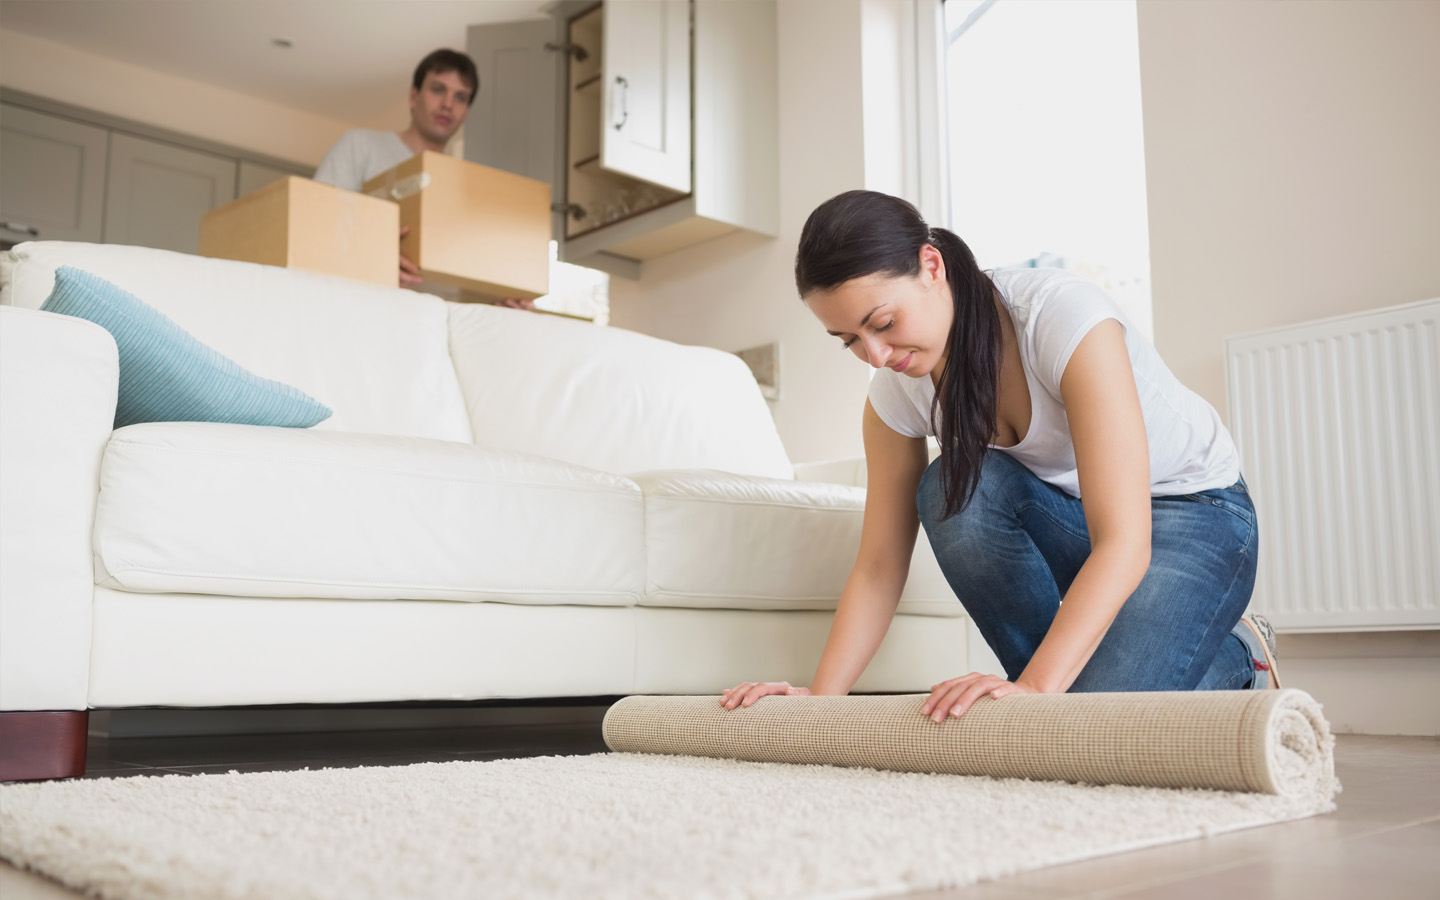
{"x": 282, "y": 513}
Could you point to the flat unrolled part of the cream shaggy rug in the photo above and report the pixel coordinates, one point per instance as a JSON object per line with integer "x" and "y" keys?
{"x": 606, "y": 826}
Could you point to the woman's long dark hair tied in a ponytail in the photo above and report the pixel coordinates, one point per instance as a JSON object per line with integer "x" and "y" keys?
{"x": 863, "y": 233}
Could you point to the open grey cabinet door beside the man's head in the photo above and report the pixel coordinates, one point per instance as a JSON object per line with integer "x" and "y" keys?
{"x": 513, "y": 122}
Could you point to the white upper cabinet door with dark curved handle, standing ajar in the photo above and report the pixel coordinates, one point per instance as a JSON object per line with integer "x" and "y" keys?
{"x": 646, "y": 133}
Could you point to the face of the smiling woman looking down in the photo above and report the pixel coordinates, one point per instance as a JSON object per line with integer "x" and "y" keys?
{"x": 901, "y": 323}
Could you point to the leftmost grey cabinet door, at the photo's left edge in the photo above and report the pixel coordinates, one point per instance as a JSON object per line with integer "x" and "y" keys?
{"x": 53, "y": 178}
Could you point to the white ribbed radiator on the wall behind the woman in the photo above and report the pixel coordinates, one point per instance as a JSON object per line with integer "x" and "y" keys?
{"x": 1338, "y": 427}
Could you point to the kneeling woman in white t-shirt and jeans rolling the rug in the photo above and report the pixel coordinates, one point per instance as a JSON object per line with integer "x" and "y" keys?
{"x": 1074, "y": 466}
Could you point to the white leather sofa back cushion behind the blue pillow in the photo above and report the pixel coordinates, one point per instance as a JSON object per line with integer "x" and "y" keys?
{"x": 377, "y": 356}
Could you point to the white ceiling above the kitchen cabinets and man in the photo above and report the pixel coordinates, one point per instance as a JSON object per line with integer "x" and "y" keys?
{"x": 352, "y": 60}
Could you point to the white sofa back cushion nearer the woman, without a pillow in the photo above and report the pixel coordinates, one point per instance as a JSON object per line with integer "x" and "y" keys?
{"x": 610, "y": 400}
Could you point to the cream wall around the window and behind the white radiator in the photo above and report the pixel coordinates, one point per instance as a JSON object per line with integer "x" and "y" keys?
{"x": 1291, "y": 175}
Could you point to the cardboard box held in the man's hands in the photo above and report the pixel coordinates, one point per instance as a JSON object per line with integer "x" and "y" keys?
{"x": 474, "y": 228}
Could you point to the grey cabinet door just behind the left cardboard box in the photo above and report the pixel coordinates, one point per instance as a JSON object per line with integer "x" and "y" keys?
{"x": 158, "y": 194}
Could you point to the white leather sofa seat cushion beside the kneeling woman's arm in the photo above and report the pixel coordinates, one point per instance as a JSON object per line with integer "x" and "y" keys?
{"x": 737, "y": 542}
